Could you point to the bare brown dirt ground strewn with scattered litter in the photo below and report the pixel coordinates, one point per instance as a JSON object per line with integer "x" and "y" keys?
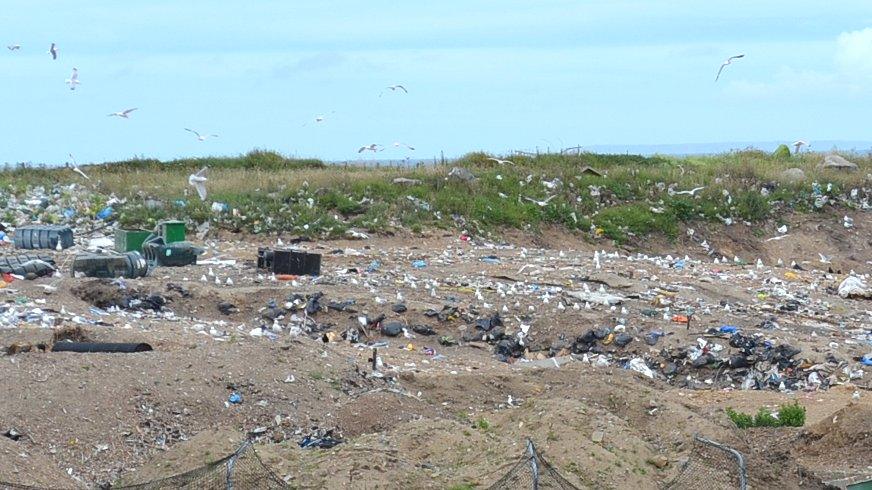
{"x": 442, "y": 415}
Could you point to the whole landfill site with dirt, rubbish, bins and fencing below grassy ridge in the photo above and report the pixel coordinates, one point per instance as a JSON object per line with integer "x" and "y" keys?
{"x": 188, "y": 357}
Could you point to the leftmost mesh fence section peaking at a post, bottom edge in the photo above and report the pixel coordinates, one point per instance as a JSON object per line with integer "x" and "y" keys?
{"x": 242, "y": 470}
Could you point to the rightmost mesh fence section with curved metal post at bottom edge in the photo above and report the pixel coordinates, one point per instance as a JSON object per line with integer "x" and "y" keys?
{"x": 711, "y": 465}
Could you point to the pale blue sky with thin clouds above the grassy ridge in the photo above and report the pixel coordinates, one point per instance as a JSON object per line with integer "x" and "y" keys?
{"x": 493, "y": 76}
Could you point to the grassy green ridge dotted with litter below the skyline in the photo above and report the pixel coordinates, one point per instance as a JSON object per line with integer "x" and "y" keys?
{"x": 272, "y": 193}
